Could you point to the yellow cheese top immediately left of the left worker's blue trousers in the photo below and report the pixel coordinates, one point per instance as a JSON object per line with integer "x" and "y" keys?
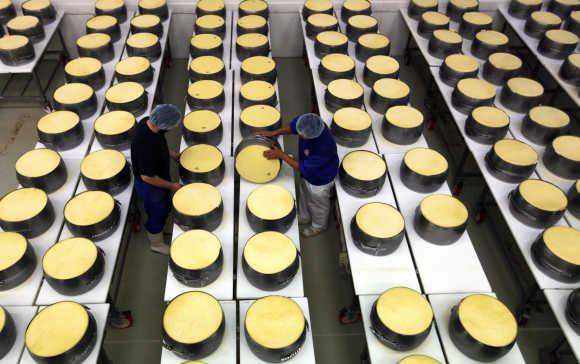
{"x": 101, "y": 206}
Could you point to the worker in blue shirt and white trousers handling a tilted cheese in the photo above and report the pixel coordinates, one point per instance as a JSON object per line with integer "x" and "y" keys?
{"x": 317, "y": 164}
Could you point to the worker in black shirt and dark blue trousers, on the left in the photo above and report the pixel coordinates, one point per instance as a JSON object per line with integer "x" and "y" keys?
{"x": 150, "y": 157}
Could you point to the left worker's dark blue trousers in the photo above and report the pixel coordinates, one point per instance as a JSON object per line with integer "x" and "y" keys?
{"x": 157, "y": 202}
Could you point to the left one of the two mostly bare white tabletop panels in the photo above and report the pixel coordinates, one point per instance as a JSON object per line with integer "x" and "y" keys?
{"x": 374, "y": 274}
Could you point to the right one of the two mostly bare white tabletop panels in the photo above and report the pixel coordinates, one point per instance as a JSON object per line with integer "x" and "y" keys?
{"x": 451, "y": 268}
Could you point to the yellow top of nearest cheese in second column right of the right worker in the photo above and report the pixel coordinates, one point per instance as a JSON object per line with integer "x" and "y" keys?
{"x": 487, "y": 320}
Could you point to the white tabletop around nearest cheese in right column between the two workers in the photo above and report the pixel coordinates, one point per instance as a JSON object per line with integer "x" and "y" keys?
{"x": 304, "y": 356}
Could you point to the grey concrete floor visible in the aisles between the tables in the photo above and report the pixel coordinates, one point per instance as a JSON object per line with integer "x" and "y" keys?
{"x": 327, "y": 285}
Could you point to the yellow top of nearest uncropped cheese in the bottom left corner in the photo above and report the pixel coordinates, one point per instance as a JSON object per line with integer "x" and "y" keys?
{"x": 56, "y": 329}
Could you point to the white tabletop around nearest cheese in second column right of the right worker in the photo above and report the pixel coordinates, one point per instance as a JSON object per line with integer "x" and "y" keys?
{"x": 442, "y": 304}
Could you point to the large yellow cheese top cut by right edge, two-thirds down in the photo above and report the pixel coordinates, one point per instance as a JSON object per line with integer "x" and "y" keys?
{"x": 564, "y": 242}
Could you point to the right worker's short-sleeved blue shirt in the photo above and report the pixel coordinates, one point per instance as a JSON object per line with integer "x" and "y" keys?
{"x": 318, "y": 159}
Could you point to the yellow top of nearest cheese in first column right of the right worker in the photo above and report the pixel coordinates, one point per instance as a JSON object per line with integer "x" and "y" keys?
{"x": 404, "y": 311}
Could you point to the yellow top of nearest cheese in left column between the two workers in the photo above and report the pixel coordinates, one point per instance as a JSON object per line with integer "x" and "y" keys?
{"x": 192, "y": 317}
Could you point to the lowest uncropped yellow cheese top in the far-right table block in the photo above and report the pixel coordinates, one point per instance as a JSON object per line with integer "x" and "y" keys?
{"x": 543, "y": 195}
